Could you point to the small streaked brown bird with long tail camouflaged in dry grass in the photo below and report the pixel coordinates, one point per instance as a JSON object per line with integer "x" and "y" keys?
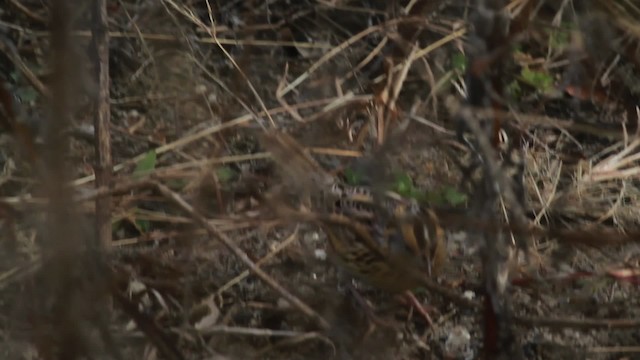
{"x": 388, "y": 241}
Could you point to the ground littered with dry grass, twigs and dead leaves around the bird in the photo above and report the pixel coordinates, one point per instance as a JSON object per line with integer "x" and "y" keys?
{"x": 188, "y": 103}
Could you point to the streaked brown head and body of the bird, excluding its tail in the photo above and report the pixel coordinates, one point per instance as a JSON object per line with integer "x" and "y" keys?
{"x": 389, "y": 245}
